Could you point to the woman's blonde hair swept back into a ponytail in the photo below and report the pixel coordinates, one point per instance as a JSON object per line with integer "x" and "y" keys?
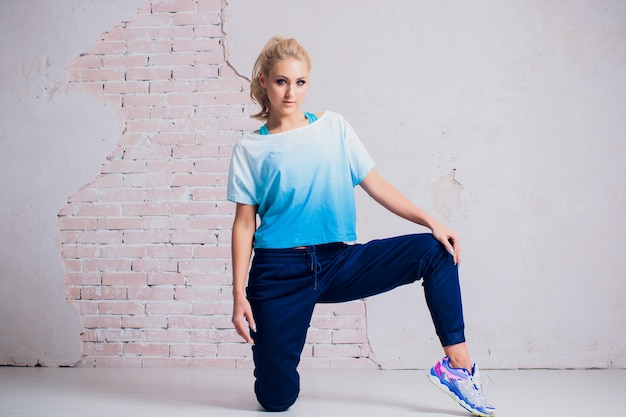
{"x": 277, "y": 49}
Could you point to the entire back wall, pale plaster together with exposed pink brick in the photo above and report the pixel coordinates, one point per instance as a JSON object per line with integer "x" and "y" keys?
{"x": 505, "y": 121}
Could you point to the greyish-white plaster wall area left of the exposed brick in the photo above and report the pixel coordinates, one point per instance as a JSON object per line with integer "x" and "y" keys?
{"x": 52, "y": 141}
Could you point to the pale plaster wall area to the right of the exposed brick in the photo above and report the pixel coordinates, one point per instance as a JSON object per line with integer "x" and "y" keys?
{"x": 505, "y": 119}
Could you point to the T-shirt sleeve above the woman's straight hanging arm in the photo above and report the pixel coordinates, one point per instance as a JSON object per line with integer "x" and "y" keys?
{"x": 241, "y": 185}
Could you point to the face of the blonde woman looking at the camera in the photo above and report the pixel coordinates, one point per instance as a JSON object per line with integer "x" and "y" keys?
{"x": 286, "y": 85}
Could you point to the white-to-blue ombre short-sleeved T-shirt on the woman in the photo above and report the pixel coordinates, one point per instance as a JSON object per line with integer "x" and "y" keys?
{"x": 302, "y": 181}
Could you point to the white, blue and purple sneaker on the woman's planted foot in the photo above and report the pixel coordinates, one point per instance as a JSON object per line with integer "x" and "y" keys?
{"x": 465, "y": 388}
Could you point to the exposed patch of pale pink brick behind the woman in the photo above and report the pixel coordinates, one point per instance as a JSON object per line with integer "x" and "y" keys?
{"x": 146, "y": 245}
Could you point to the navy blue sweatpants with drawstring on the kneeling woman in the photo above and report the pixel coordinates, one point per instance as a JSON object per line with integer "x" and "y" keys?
{"x": 285, "y": 284}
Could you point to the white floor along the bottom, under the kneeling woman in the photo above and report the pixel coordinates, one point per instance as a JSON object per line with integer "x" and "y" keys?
{"x": 67, "y": 392}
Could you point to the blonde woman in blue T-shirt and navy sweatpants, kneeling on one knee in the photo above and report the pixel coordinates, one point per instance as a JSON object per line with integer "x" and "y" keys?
{"x": 297, "y": 173}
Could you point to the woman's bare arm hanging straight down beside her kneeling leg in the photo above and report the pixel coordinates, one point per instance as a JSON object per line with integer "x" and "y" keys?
{"x": 244, "y": 227}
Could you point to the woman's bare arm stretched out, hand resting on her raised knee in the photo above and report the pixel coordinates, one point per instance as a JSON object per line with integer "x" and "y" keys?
{"x": 393, "y": 200}
